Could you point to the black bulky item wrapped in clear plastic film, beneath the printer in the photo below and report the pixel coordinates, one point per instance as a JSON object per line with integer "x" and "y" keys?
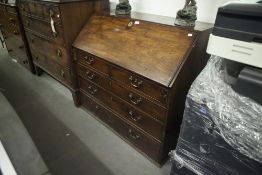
{"x": 221, "y": 131}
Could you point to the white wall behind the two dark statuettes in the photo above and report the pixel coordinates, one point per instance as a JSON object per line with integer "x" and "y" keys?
{"x": 207, "y": 9}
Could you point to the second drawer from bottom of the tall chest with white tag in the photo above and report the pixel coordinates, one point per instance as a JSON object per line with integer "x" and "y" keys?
{"x": 48, "y": 49}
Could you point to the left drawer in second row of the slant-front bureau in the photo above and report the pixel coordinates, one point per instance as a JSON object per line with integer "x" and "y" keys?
{"x": 88, "y": 74}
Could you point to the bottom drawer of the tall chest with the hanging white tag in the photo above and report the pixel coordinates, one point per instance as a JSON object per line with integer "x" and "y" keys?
{"x": 57, "y": 71}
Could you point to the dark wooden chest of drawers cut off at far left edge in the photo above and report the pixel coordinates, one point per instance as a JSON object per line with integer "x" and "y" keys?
{"x": 13, "y": 34}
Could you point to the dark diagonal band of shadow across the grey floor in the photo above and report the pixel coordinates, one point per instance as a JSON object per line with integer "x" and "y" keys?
{"x": 63, "y": 152}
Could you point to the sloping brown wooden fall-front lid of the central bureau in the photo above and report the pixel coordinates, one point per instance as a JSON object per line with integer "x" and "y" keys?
{"x": 152, "y": 50}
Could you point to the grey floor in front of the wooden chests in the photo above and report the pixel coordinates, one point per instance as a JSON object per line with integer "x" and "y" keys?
{"x": 70, "y": 141}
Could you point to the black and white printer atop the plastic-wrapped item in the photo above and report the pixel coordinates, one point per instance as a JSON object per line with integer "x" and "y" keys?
{"x": 237, "y": 37}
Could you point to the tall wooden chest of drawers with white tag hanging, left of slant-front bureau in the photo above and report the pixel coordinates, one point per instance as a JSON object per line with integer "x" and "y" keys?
{"x": 51, "y": 26}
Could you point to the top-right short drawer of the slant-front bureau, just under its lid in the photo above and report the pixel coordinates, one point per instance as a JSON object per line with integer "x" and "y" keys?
{"x": 141, "y": 84}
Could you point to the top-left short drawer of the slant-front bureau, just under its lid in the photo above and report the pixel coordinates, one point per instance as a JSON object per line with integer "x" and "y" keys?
{"x": 92, "y": 61}
